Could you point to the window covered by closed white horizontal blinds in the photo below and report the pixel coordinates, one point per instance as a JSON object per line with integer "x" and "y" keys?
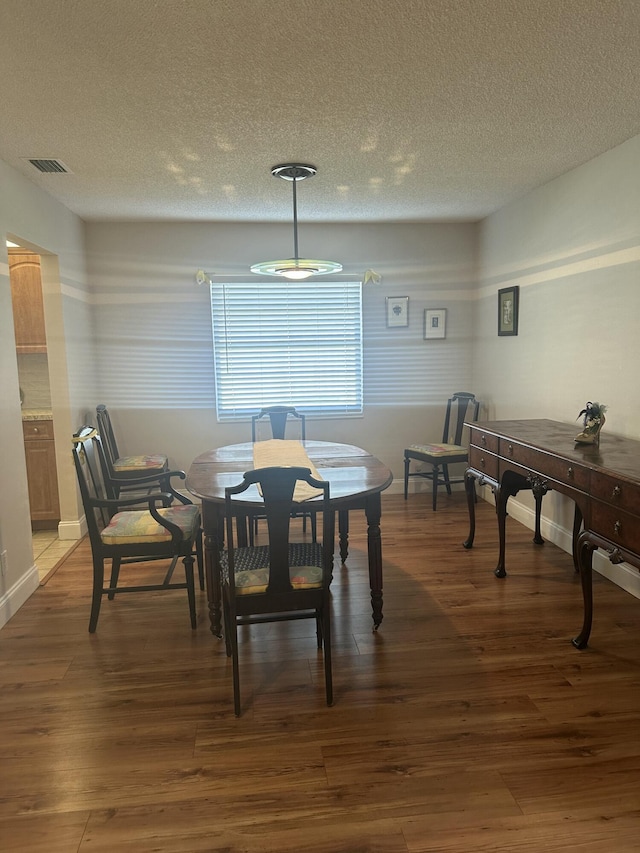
{"x": 289, "y": 343}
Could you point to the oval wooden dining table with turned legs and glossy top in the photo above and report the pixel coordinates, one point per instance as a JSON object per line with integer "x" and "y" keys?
{"x": 356, "y": 481}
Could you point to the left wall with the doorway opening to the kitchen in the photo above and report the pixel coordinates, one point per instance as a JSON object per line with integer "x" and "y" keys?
{"x": 42, "y": 224}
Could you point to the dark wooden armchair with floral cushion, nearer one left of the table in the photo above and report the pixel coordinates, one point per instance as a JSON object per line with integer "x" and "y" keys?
{"x": 160, "y": 526}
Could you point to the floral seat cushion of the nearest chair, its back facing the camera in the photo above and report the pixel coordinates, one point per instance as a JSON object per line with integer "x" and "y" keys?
{"x": 252, "y": 567}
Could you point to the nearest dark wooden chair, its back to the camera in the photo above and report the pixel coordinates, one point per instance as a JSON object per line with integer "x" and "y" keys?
{"x": 283, "y": 580}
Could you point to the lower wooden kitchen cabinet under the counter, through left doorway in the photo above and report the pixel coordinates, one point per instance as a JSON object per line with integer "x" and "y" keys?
{"x": 42, "y": 477}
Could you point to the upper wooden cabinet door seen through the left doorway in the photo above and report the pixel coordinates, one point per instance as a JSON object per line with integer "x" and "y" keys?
{"x": 28, "y": 307}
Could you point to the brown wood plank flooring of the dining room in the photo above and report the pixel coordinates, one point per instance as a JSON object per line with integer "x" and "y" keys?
{"x": 467, "y": 723}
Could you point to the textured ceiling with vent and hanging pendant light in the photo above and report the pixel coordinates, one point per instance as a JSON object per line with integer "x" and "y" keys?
{"x": 411, "y": 110}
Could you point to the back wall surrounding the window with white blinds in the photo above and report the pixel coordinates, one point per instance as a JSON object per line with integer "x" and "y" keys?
{"x": 153, "y": 328}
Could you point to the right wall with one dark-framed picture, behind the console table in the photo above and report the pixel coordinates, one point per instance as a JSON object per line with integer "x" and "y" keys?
{"x": 573, "y": 248}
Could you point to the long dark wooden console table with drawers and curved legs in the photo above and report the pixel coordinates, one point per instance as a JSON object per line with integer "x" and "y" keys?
{"x": 541, "y": 455}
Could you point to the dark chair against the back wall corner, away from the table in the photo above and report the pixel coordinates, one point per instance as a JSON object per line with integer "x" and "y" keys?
{"x": 461, "y": 406}
